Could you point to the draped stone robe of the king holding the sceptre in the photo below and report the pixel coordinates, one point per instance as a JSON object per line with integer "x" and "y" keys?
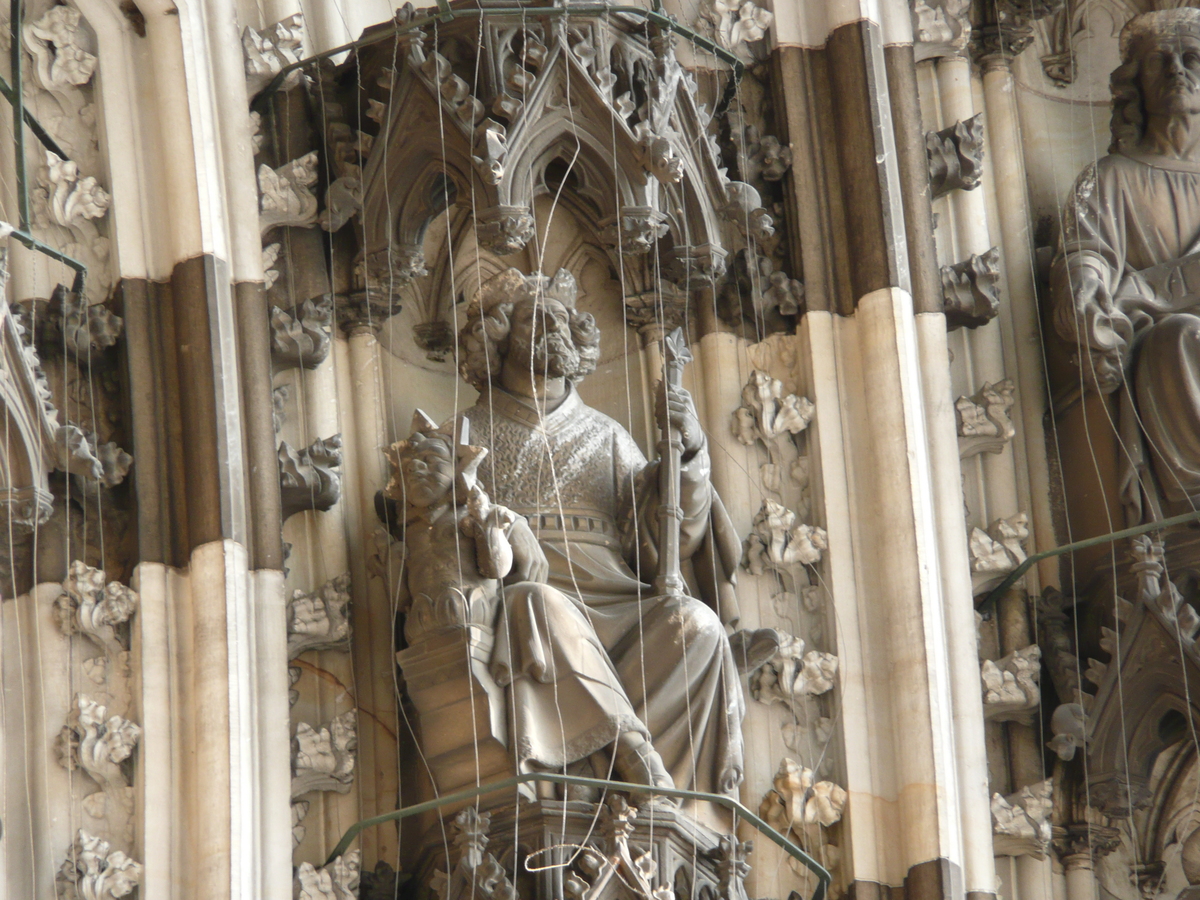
{"x": 592, "y": 501}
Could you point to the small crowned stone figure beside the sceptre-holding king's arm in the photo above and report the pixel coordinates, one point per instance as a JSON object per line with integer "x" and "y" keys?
{"x": 458, "y": 543}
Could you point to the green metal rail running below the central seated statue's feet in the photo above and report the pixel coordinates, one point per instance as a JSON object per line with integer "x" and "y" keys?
{"x": 729, "y": 803}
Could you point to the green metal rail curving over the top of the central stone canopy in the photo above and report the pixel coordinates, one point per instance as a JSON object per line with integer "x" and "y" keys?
{"x": 446, "y": 14}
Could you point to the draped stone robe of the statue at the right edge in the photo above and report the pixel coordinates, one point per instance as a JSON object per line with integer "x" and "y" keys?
{"x": 1135, "y": 219}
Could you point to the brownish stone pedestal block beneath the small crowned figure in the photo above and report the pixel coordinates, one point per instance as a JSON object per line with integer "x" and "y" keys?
{"x": 463, "y": 721}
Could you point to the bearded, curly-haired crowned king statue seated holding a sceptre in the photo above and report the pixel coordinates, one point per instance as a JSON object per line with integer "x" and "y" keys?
{"x": 580, "y": 572}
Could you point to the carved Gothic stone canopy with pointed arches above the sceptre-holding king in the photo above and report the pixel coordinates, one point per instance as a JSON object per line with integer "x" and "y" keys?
{"x": 585, "y": 110}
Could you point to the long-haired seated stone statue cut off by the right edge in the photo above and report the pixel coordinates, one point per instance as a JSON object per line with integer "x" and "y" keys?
{"x": 1126, "y": 283}
